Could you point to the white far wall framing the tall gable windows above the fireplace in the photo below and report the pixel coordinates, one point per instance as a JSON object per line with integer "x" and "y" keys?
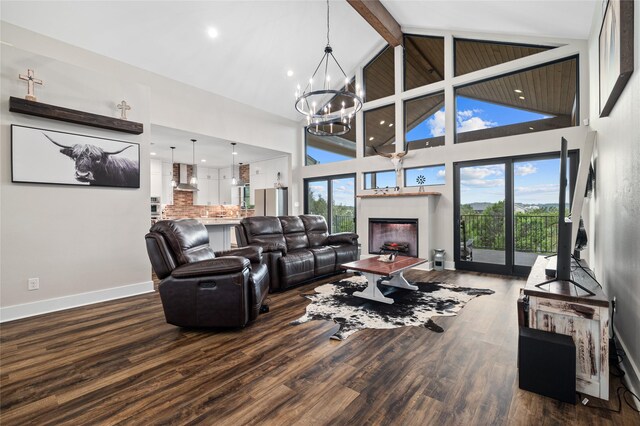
{"x": 526, "y": 144}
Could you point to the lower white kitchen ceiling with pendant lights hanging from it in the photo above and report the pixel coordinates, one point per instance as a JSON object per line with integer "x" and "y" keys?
{"x": 217, "y": 152}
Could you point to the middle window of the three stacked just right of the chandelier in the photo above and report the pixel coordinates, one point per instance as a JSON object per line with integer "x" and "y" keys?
{"x": 379, "y": 130}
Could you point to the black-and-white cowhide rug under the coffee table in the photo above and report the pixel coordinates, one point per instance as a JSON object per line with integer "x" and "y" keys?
{"x": 336, "y": 302}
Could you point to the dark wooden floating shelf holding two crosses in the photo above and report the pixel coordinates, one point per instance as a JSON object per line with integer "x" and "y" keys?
{"x": 54, "y": 112}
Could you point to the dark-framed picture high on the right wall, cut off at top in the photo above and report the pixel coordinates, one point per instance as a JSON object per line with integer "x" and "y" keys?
{"x": 615, "y": 52}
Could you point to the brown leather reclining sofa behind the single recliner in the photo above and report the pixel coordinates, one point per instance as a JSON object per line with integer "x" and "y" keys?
{"x": 297, "y": 249}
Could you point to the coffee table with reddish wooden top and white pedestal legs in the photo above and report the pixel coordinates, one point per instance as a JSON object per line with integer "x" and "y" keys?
{"x": 374, "y": 269}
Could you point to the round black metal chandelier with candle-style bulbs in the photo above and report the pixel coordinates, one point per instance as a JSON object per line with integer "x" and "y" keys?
{"x": 328, "y": 111}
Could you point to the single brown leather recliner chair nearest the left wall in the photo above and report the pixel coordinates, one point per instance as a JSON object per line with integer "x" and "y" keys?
{"x": 200, "y": 287}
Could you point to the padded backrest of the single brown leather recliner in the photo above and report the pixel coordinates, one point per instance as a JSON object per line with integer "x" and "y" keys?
{"x": 187, "y": 238}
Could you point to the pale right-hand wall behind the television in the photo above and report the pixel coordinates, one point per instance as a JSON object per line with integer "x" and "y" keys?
{"x": 615, "y": 238}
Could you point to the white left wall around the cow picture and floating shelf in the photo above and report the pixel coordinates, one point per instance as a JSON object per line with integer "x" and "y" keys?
{"x": 80, "y": 240}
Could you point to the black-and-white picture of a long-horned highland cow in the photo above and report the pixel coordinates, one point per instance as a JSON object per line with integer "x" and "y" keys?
{"x": 48, "y": 156}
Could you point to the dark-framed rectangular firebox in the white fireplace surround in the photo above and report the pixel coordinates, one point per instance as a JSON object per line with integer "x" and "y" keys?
{"x": 399, "y": 235}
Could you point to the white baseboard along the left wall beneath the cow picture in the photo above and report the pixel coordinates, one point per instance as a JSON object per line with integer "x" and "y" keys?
{"x": 10, "y": 313}
